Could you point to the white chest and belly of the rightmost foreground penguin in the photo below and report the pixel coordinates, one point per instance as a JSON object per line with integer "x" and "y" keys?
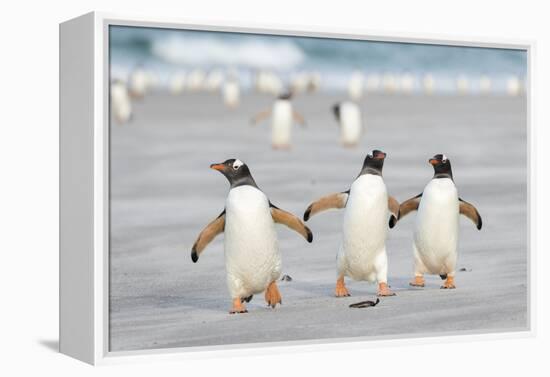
{"x": 436, "y": 228}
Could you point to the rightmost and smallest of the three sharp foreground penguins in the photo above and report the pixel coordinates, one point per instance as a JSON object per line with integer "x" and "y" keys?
{"x": 436, "y": 229}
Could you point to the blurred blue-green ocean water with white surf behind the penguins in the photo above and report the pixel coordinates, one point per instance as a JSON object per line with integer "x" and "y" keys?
{"x": 167, "y": 51}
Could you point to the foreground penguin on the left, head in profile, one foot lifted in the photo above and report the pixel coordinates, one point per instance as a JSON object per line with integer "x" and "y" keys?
{"x": 252, "y": 258}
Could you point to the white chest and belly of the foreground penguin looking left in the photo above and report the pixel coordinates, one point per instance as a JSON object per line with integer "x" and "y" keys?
{"x": 251, "y": 250}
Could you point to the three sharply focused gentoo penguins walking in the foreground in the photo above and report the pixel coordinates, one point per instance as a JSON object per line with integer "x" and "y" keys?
{"x": 252, "y": 257}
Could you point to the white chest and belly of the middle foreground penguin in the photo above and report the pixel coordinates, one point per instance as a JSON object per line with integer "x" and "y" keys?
{"x": 365, "y": 225}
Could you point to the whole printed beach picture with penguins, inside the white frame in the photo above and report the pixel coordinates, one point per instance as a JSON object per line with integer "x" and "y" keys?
{"x": 270, "y": 188}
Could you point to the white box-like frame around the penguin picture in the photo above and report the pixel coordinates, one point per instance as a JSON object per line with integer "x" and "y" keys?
{"x": 84, "y": 185}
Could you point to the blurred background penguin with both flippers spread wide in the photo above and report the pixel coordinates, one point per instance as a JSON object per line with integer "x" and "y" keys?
{"x": 283, "y": 117}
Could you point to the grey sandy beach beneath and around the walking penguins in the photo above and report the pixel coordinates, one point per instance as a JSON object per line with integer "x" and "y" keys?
{"x": 163, "y": 193}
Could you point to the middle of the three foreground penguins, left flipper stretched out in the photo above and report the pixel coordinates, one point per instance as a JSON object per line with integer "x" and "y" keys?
{"x": 362, "y": 254}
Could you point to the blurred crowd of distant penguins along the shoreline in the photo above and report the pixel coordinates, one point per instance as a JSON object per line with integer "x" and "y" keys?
{"x": 231, "y": 83}
